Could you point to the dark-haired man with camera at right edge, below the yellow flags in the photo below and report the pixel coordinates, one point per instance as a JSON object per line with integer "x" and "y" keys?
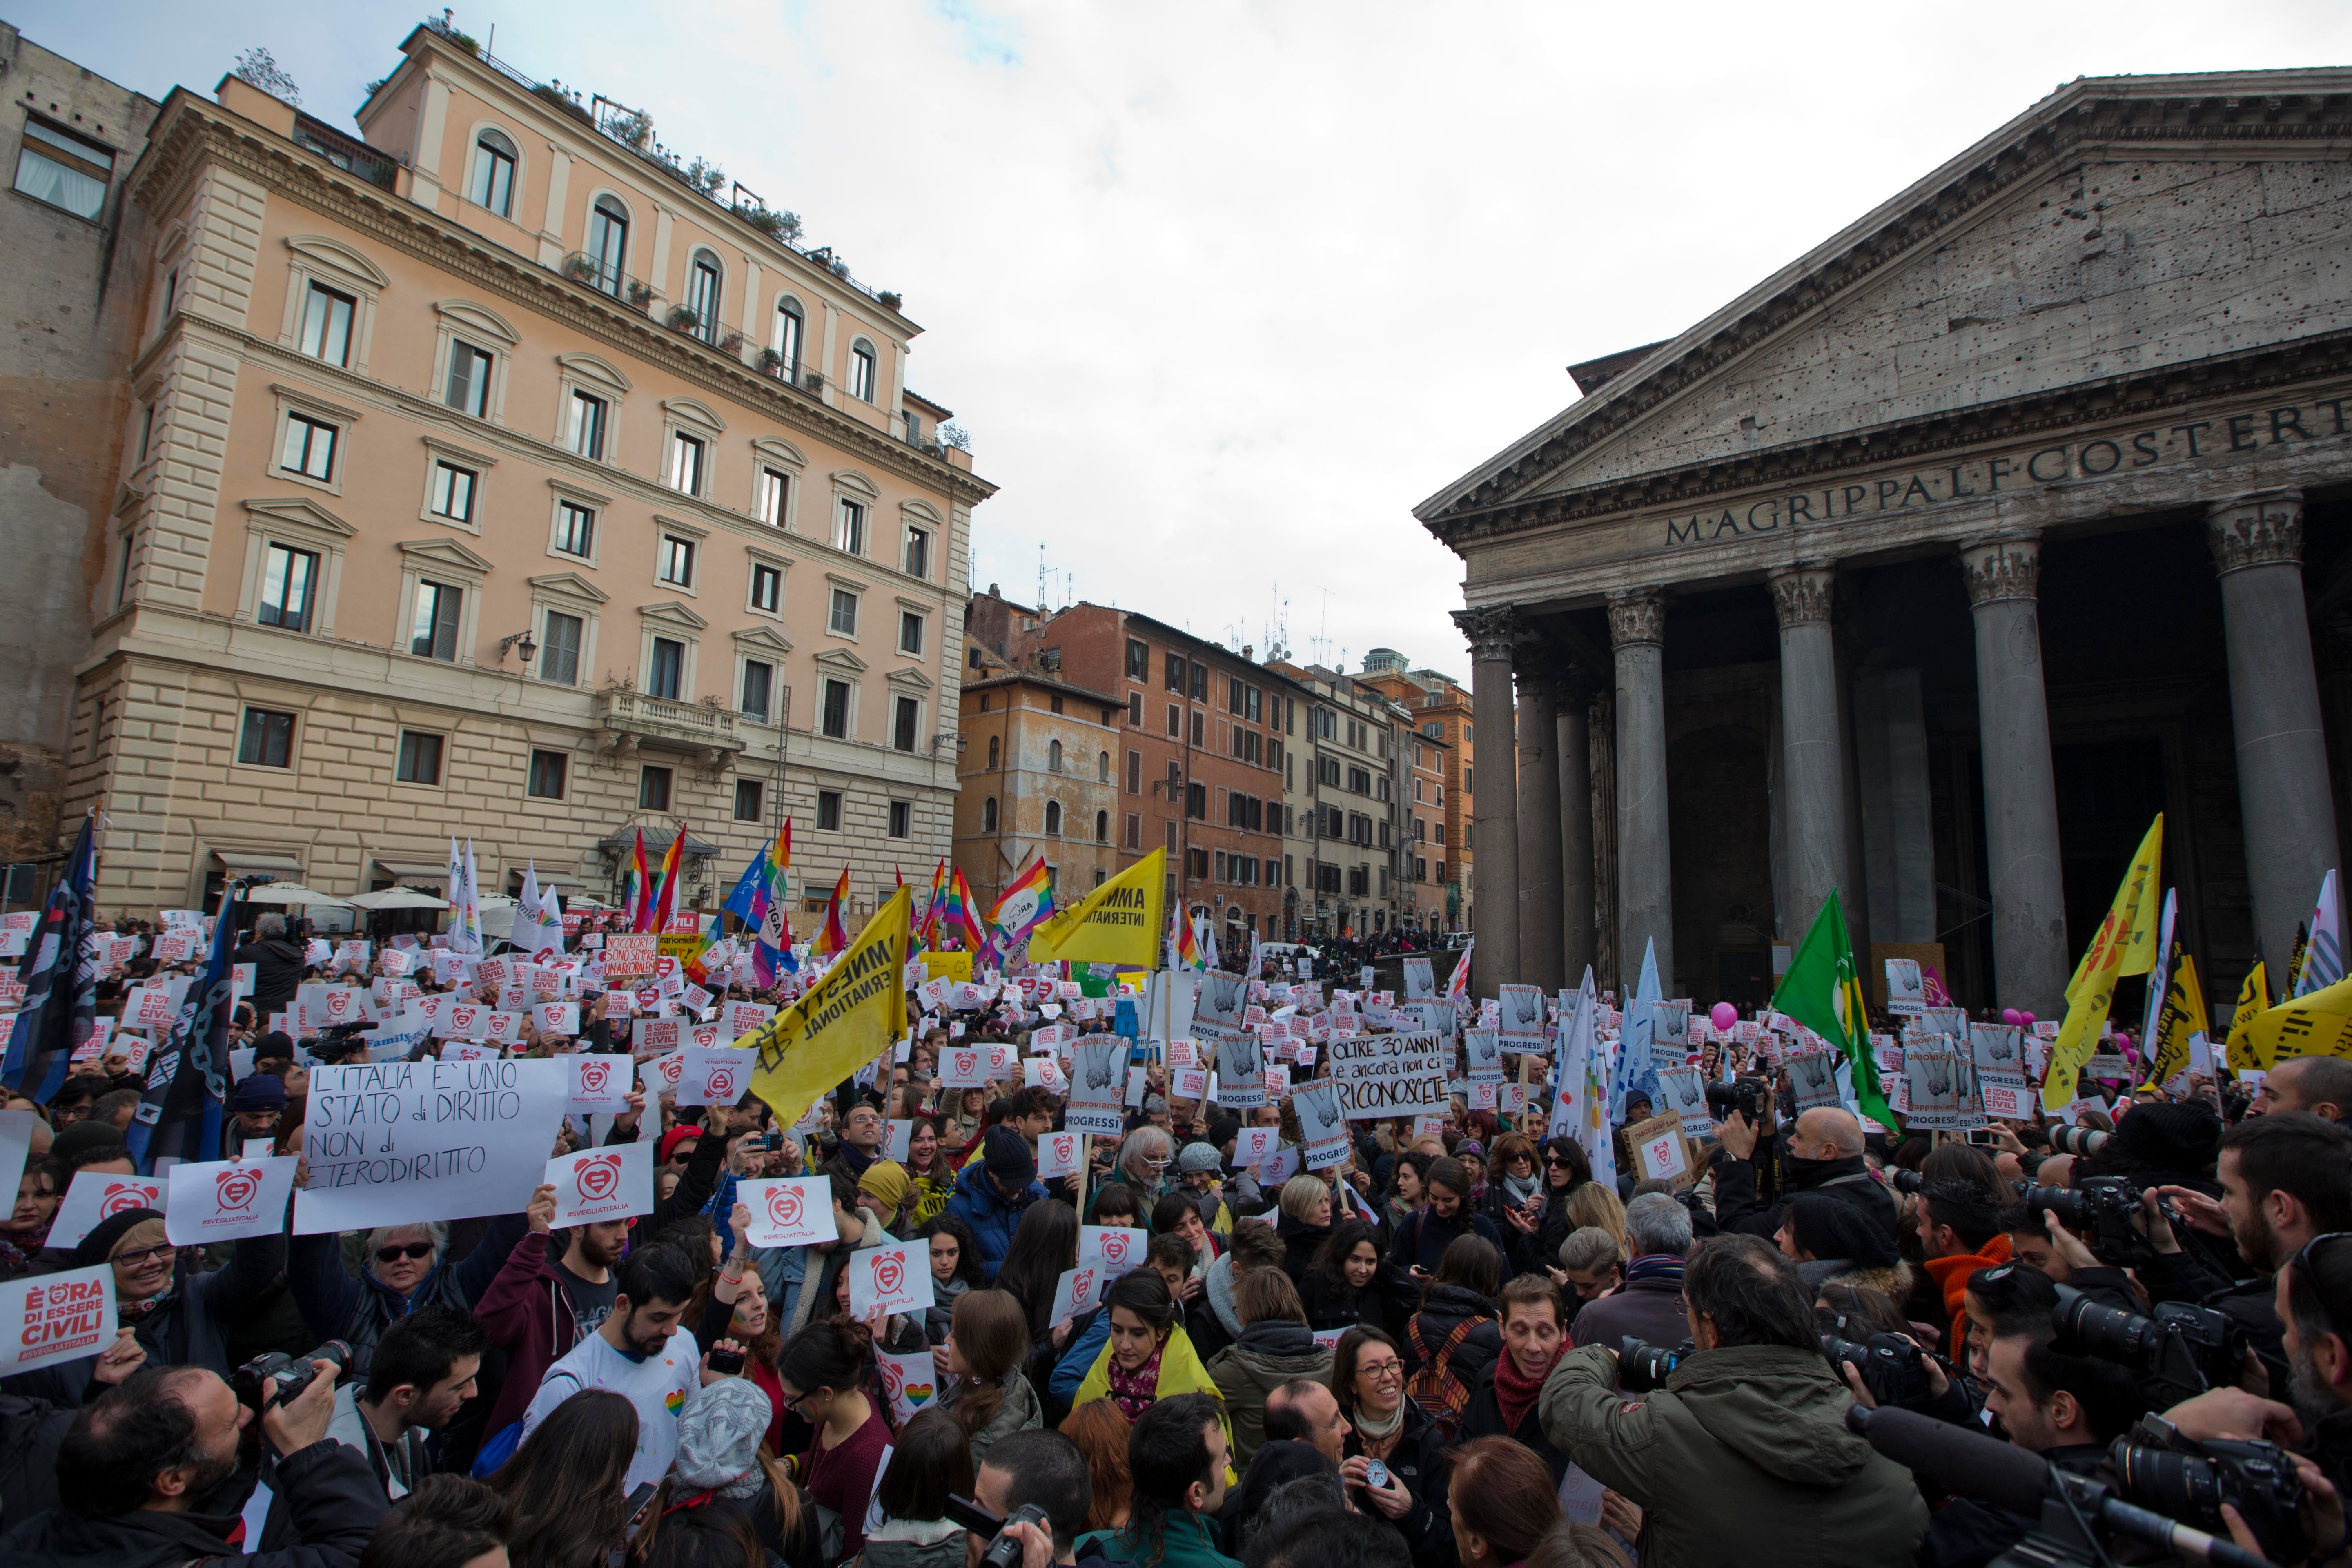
{"x": 2285, "y": 1179}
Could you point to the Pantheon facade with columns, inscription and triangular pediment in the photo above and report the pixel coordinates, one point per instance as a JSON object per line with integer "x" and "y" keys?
{"x": 1939, "y": 563}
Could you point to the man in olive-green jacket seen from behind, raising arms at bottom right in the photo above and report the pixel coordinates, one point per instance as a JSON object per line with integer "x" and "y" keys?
{"x": 1749, "y": 1438}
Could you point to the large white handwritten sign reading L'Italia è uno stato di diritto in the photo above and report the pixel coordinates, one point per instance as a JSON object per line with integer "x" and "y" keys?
{"x": 401, "y": 1144}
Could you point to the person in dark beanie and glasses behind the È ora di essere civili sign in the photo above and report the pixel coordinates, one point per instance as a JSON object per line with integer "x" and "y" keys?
{"x": 173, "y": 1311}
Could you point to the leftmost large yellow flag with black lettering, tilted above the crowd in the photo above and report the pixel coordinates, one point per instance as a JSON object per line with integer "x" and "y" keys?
{"x": 843, "y": 1024}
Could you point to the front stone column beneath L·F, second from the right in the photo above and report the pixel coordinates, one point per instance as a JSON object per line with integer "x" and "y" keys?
{"x": 2022, "y": 800}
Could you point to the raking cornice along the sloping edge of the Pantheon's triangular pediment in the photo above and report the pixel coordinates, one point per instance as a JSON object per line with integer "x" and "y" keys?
{"x": 2280, "y": 109}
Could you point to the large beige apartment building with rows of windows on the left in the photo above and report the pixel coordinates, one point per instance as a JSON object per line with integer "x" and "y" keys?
{"x": 486, "y": 476}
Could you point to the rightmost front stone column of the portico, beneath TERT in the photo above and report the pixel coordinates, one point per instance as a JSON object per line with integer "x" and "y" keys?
{"x": 2283, "y": 760}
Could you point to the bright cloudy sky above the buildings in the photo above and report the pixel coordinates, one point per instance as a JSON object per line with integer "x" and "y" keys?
{"x": 1222, "y": 290}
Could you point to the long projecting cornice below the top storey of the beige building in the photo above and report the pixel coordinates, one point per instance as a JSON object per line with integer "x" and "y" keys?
{"x": 194, "y": 130}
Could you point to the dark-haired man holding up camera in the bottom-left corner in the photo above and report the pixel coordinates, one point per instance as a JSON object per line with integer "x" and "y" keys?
{"x": 147, "y": 1461}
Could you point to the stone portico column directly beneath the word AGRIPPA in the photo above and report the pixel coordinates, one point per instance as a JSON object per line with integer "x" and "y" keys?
{"x": 1812, "y": 760}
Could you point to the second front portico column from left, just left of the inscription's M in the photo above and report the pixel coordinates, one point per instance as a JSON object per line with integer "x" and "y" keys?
{"x": 1645, "y": 859}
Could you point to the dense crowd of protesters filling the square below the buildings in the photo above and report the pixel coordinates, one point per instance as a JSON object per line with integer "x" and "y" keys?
{"x": 1450, "y": 1348}
